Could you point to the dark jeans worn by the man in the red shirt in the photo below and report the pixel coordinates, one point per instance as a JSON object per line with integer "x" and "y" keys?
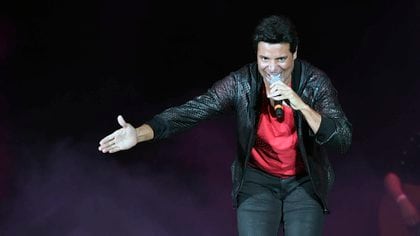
{"x": 267, "y": 202}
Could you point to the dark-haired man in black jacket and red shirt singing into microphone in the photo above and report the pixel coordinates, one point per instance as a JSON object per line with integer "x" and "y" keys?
{"x": 281, "y": 174}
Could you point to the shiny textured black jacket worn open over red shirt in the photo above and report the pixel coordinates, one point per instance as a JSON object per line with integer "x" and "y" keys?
{"x": 240, "y": 92}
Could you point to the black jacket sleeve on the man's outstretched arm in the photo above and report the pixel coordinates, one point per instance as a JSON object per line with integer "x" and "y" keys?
{"x": 213, "y": 103}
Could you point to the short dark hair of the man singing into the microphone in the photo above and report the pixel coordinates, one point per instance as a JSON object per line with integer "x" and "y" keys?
{"x": 276, "y": 29}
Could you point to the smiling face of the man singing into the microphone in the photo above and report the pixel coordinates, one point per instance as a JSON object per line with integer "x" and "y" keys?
{"x": 275, "y": 59}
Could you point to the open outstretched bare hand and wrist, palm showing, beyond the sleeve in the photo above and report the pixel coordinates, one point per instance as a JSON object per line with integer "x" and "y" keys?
{"x": 126, "y": 137}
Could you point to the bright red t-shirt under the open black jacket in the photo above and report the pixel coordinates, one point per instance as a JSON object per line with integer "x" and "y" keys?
{"x": 275, "y": 149}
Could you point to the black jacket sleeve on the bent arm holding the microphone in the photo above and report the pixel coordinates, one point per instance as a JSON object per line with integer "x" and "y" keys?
{"x": 335, "y": 131}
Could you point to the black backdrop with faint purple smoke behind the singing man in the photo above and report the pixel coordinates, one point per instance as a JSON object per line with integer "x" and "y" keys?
{"x": 68, "y": 68}
